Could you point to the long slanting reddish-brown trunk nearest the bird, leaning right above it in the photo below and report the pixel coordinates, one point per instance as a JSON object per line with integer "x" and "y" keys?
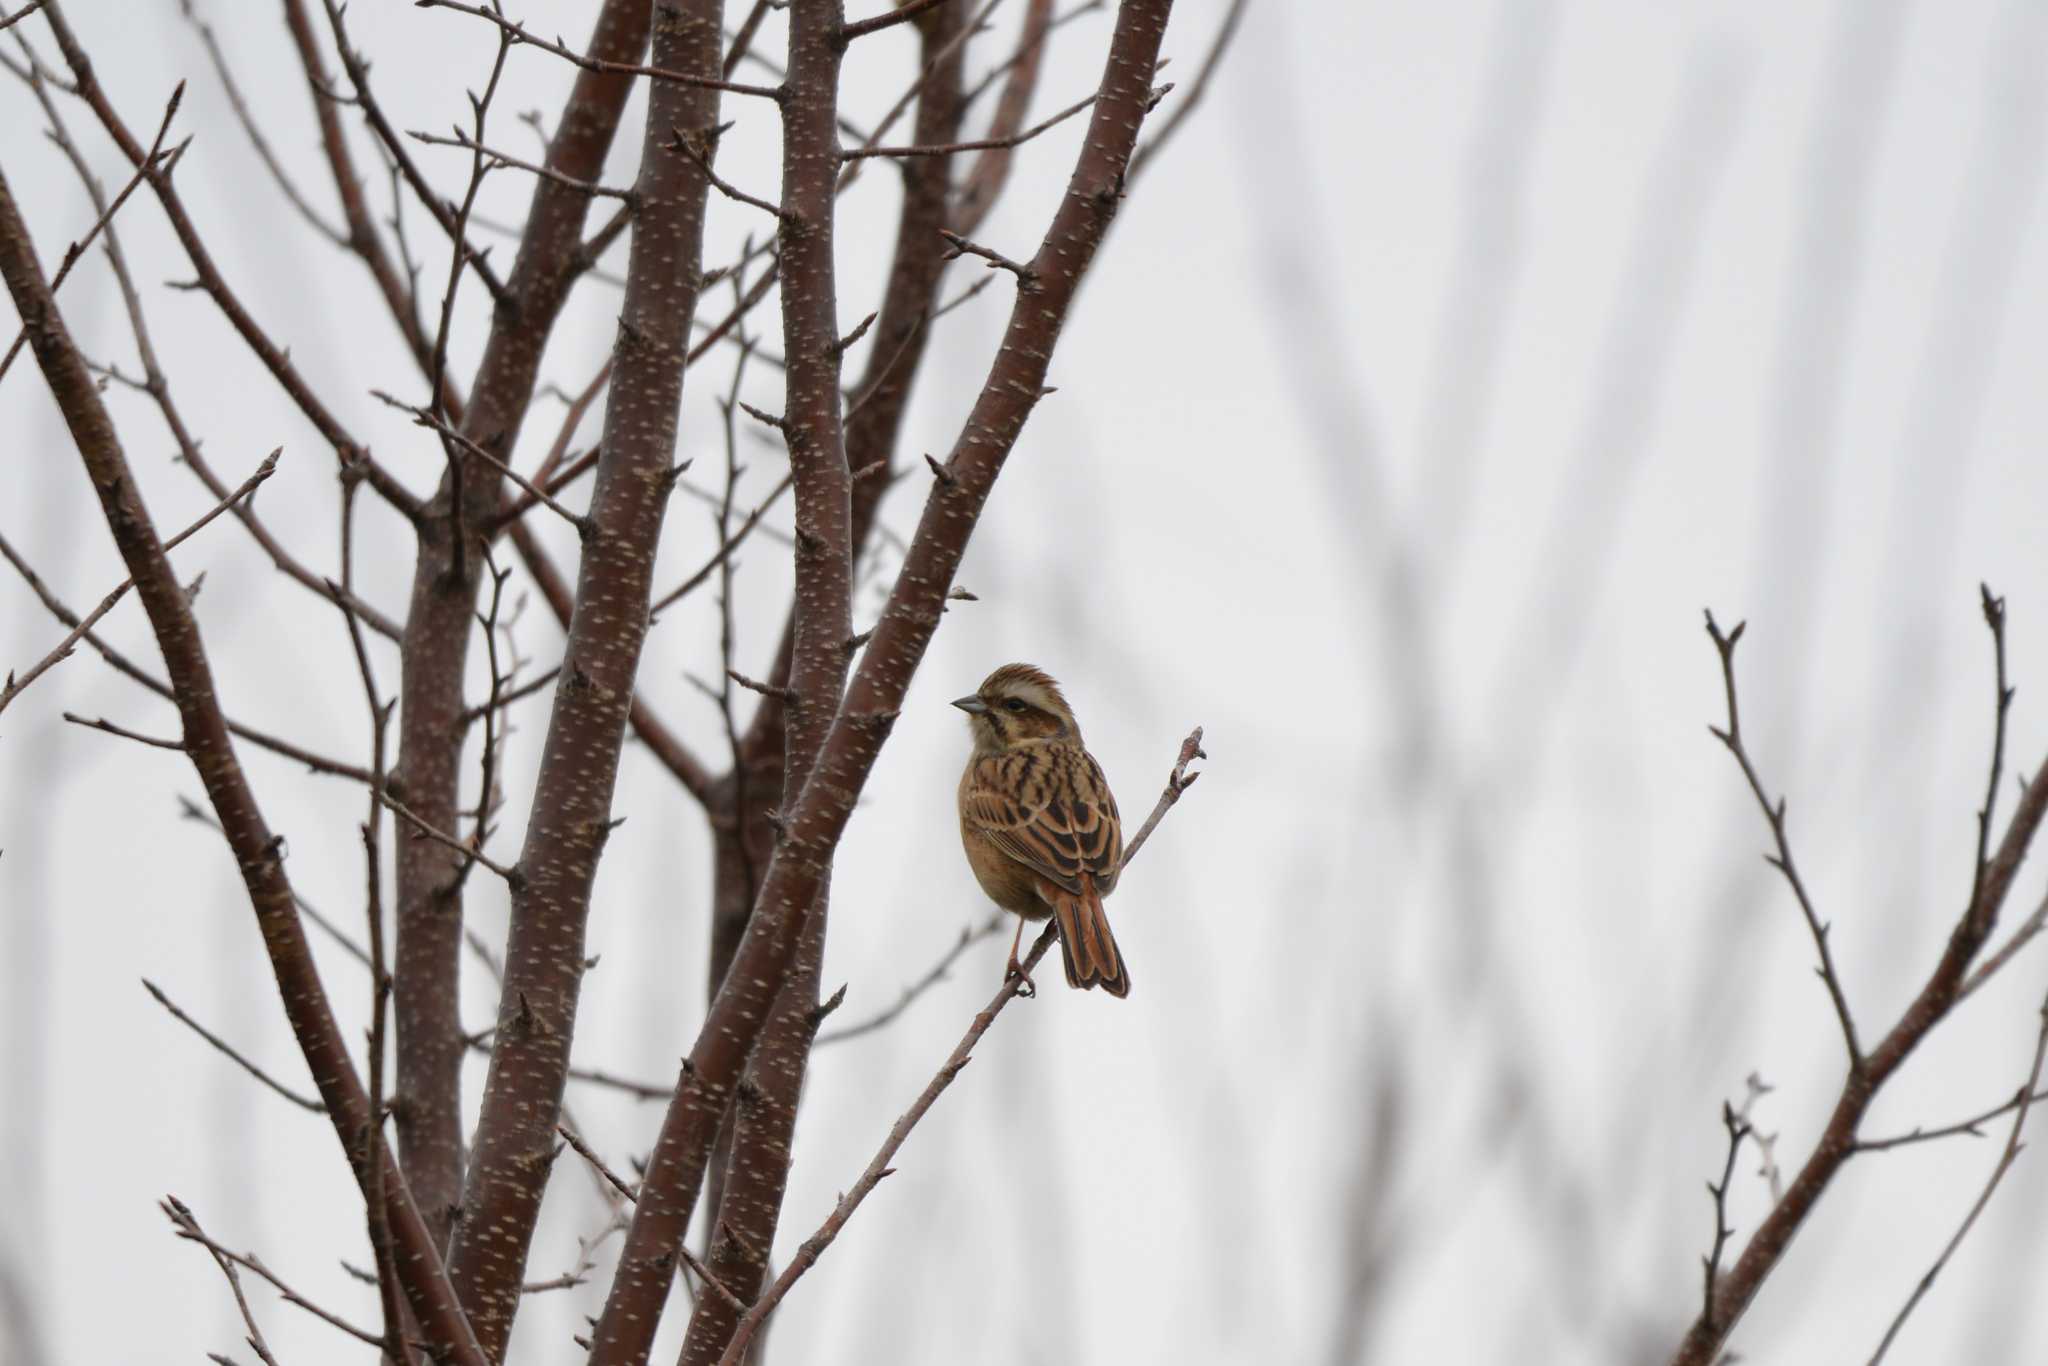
{"x": 857, "y": 734}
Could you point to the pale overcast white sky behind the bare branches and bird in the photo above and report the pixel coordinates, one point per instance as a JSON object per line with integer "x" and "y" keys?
{"x": 1447, "y": 368}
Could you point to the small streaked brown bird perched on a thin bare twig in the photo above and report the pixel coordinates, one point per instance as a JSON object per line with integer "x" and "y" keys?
{"x": 1039, "y": 822}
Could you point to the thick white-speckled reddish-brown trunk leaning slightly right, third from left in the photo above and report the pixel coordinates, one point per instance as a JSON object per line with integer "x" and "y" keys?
{"x": 587, "y": 726}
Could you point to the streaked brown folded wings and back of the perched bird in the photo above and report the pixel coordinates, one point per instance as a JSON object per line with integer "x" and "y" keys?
{"x": 1052, "y": 810}
